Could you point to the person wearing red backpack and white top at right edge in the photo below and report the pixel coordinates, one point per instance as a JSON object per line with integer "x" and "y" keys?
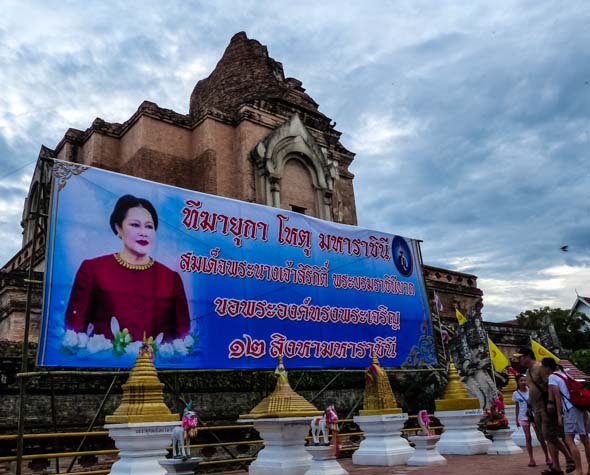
{"x": 574, "y": 420}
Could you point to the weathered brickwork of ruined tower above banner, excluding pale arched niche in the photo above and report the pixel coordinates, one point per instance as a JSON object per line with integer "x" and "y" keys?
{"x": 244, "y": 99}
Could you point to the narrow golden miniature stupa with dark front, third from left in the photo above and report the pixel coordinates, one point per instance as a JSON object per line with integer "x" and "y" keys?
{"x": 378, "y": 397}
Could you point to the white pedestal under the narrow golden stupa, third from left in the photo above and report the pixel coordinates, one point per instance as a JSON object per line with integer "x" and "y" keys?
{"x": 383, "y": 443}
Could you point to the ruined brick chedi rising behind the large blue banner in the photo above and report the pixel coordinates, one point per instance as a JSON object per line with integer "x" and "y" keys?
{"x": 250, "y": 134}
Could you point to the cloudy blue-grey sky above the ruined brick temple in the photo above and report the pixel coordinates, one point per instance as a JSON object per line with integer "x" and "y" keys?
{"x": 470, "y": 120}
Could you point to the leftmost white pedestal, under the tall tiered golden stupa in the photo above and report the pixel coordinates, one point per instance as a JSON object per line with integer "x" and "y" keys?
{"x": 142, "y": 446}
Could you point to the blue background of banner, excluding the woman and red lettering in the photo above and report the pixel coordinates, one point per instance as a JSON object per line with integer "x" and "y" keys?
{"x": 82, "y": 202}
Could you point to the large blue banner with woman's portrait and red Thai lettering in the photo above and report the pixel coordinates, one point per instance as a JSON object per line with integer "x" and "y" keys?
{"x": 211, "y": 282}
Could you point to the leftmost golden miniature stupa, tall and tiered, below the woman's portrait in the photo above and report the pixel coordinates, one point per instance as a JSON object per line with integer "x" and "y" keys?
{"x": 143, "y": 395}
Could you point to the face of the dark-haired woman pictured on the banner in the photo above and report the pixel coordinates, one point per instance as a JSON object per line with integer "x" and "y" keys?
{"x": 137, "y": 231}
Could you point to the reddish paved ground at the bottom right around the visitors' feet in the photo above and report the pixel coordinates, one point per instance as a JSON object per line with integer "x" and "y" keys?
{"x": 457, "y": 465}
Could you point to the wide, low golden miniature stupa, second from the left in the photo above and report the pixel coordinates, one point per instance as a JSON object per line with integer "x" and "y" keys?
{"x": 283, "y": 401}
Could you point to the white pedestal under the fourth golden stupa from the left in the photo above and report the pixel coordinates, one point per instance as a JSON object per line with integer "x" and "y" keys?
{"x": 461, "y": 436}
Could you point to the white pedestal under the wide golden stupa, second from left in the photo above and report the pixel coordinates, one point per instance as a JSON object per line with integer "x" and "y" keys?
{"x": 284, "y": 446}
